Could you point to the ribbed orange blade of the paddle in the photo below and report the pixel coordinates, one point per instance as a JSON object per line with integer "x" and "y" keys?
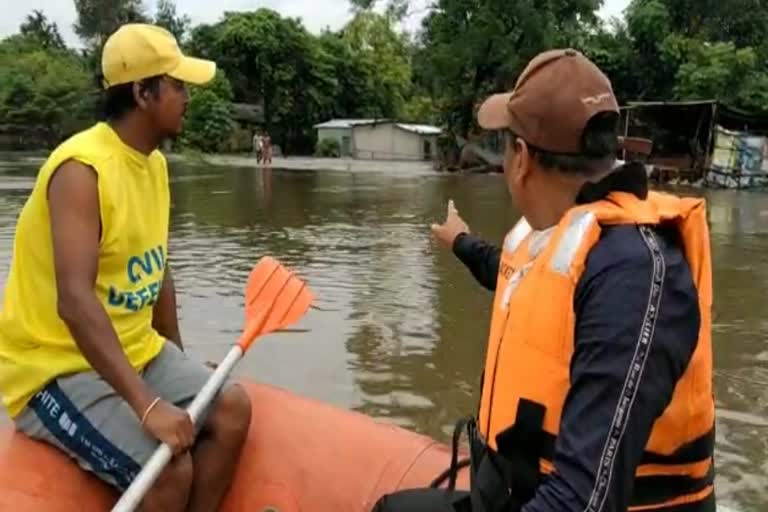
{"x": 274, "y": 298}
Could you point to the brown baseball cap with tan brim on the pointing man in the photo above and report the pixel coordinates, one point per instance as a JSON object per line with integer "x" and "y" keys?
{"x": 554, "y": 98}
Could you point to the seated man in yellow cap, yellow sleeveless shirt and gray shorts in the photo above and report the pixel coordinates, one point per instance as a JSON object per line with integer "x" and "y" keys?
{"x": 91, "y": 358}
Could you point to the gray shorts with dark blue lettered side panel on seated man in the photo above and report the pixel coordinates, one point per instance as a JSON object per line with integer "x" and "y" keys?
{"x": 84, "y": 417}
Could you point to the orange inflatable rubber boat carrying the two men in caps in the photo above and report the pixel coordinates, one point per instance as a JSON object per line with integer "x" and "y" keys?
{"x": 301, "y": 455}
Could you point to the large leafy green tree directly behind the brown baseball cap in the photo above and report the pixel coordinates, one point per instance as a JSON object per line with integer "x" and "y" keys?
{"x": 469, "y": 48}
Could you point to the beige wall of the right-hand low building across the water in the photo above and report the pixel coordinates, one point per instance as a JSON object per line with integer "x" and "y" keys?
{"x": 387, "y": 142}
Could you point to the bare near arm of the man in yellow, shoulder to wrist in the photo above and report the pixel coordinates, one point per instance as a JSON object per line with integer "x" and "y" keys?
{"x": 75, "y": 225}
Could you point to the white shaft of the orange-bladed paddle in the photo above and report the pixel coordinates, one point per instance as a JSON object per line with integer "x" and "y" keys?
{"x": 132, "y": 496}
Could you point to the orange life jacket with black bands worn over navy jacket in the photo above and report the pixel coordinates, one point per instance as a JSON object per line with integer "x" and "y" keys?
{"x": 532, "y": 339}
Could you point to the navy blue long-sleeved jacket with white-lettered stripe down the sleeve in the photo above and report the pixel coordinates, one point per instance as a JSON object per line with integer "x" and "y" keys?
{"x": 610, "y": 303}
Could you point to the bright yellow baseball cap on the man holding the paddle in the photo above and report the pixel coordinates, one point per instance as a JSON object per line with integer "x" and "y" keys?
{"x": 137, "y": 51}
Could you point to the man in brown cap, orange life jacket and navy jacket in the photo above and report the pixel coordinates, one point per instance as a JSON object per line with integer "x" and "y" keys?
{"x": 596, "y": 393}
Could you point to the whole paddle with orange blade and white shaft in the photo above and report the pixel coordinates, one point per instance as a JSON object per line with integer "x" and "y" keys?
{"x": 274, "y": 299}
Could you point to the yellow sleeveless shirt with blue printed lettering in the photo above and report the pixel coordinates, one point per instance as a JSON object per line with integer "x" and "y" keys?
{"x": 35, "y": 344}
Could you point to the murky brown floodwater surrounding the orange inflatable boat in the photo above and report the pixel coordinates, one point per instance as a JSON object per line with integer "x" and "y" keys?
{"x": 400, "y": 329}
